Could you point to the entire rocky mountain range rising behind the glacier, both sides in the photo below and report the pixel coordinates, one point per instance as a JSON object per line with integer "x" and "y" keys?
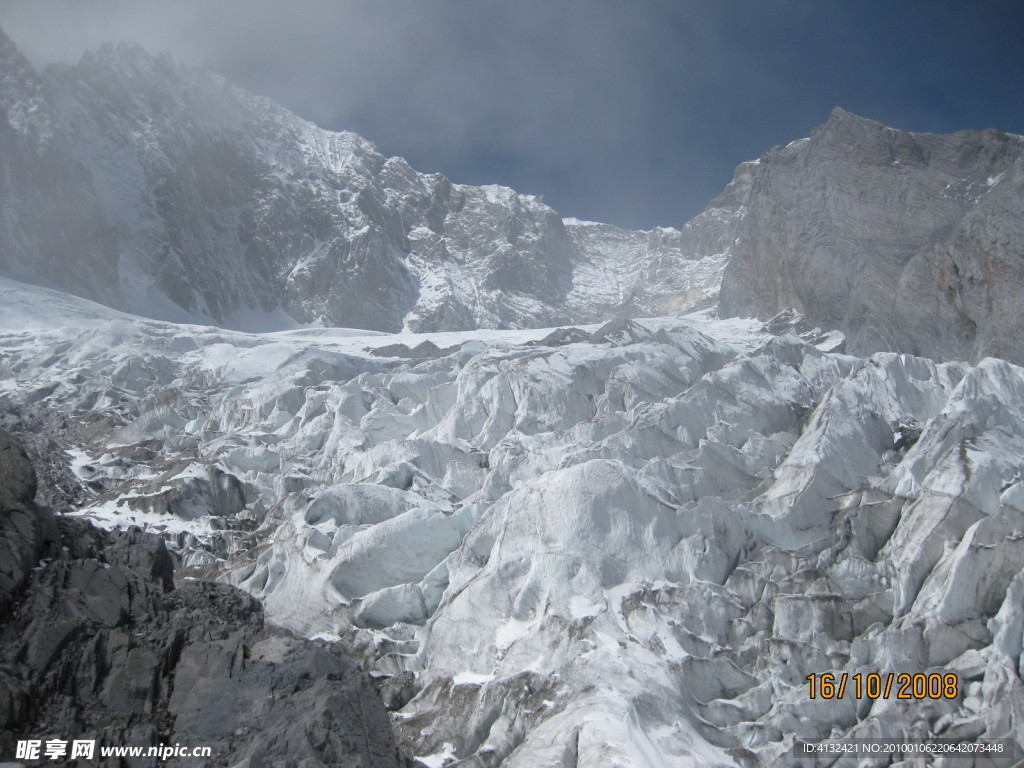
{"x": 164, "y": 191}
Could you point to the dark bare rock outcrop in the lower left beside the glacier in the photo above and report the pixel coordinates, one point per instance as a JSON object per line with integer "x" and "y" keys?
{"x": 97, "y": 643}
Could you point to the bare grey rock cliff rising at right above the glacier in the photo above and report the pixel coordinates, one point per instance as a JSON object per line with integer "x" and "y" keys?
{"x": 907, "y": 242}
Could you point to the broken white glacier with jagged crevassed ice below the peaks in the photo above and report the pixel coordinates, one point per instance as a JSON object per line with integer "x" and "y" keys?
{"x": 619, "y": 546}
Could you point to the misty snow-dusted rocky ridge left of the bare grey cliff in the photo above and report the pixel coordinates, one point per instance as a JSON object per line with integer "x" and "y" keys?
{"x": 164, "y": 191}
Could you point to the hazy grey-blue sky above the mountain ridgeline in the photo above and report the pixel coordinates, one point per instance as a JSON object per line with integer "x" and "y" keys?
{"x": 631, "y": 113}
